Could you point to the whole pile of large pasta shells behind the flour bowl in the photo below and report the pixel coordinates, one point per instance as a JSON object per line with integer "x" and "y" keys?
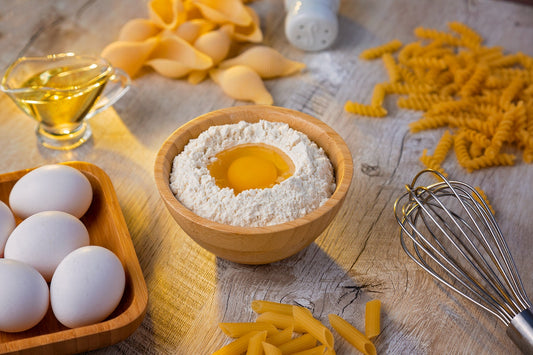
{"x": 187, "y": 38}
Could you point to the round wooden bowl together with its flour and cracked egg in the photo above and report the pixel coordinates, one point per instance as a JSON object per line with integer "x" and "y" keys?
{"x": 236, "y": 169}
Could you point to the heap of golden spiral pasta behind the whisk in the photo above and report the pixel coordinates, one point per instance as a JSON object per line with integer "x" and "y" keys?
{"x": 482, "y": 94}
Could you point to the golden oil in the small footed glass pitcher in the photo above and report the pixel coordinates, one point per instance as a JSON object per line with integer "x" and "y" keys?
{"x": 62, "y": 96}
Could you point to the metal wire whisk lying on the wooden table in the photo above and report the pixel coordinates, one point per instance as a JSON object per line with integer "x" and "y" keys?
{"x": 448, "y": 229}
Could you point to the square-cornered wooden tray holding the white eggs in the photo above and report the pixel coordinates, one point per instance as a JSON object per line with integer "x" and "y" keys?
{"x": 107, "y": 228}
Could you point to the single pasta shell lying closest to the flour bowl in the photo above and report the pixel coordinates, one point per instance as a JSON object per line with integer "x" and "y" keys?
{"x": 242, "y": 83}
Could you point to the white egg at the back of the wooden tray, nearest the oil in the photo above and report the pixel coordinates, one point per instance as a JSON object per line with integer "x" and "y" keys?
{"x": 51, "y": 188}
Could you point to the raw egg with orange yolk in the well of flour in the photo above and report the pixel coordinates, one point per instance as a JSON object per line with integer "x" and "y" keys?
{"x": 251, "y": 166}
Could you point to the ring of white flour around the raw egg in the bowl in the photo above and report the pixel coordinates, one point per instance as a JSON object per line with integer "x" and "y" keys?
{"x": 309, "y": 187}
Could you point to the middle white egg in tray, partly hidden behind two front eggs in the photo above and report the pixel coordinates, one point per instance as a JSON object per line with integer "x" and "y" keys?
{"x": 44, "y": 239}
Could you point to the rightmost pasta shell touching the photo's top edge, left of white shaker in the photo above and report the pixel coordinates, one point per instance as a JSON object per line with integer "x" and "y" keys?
{"x": 232, "y": 11}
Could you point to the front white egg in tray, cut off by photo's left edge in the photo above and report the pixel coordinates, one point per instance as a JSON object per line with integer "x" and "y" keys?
{"x": 24, "y": 298}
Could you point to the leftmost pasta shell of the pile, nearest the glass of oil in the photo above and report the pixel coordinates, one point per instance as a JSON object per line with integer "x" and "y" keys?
{"x": 129, "y": 56}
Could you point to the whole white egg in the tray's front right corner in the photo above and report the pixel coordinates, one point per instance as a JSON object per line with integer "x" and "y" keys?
{"x": 87, "y": 286}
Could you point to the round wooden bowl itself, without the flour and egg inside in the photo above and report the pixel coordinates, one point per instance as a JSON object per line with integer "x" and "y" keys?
{"x": 255, "y": 245}
